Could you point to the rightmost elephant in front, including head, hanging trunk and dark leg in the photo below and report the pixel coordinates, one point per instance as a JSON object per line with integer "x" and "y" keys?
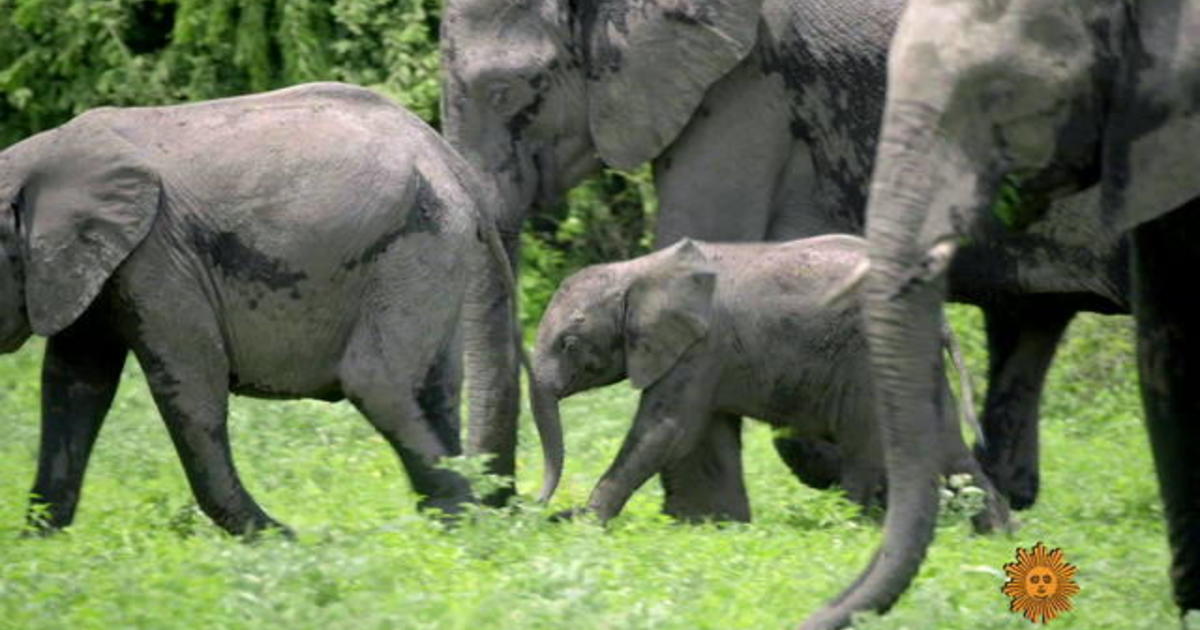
{"x": 1059, "y": 97}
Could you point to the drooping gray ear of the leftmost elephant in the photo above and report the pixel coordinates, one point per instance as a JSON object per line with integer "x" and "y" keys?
{"x": 91, "y": 202}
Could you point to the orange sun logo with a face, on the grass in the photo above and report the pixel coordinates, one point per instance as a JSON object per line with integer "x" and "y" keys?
{"x": 1040, "y": 584}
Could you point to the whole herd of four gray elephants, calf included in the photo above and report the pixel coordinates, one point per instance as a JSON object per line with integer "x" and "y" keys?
{"x": 321, "y": 242}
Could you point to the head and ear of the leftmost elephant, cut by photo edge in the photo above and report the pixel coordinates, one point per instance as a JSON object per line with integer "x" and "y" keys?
{"x": 68, "y": 220}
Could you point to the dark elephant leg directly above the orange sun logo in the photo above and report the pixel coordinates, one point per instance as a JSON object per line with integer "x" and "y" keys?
{"x": 1022, "y": 341}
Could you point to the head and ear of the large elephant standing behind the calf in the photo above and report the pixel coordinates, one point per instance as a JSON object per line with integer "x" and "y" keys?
{"x": 539, "y": 93}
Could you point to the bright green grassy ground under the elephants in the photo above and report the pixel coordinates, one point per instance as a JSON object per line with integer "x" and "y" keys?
{"x": 142, "y": 556}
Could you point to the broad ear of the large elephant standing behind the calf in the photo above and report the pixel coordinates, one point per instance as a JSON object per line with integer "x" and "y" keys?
{"x": 650, "y": 64}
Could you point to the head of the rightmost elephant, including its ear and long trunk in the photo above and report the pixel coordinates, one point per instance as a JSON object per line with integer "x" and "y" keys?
{"x": 1046, "y": 98}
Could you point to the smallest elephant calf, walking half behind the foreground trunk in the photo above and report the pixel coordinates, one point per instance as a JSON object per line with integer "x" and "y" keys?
{"x": 711, "y": 333}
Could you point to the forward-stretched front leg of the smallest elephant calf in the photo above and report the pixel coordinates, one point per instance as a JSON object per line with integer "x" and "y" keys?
{"x": 673, "y": 418}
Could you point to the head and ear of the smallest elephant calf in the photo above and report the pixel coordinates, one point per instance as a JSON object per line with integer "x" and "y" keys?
{"x": 632, "y": 320}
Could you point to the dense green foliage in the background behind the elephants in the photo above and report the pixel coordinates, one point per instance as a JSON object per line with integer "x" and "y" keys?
{"x": 59, "y": 58}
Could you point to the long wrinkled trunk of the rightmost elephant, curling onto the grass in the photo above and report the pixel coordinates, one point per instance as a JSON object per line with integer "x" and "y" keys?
{"x": 913, "y": 193}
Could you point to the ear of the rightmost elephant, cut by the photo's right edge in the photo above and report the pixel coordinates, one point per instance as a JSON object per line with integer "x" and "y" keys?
{"x": 1150, "y": 157}
